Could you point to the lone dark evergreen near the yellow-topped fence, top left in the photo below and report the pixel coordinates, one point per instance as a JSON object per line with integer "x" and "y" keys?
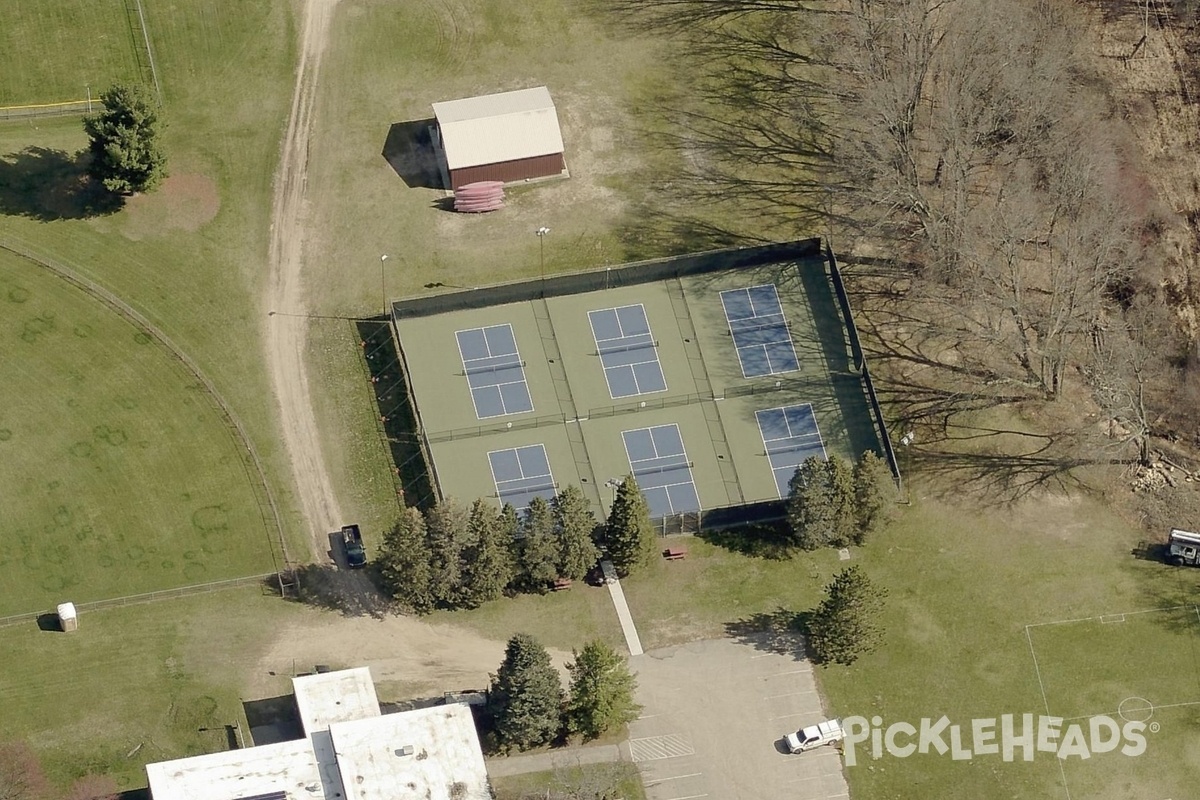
{"x": 124, "y": 141}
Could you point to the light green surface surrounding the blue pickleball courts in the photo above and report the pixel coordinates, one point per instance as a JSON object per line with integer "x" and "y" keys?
{"x": 580, "y": 420}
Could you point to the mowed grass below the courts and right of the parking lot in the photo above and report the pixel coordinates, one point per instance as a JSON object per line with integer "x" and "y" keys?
{"x": 963, "y": 584}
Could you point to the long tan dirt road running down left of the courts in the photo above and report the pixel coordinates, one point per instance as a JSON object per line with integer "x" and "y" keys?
{"x": 287, "y": 333}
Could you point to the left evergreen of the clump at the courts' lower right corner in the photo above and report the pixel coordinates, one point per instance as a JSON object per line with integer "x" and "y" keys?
{"x": 821, "y": 504}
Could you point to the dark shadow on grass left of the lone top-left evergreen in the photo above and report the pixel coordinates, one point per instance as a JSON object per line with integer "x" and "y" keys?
{"x": 49, "y": 185}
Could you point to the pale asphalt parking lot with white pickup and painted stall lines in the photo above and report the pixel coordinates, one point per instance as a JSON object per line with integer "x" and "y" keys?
{"x": 715, "y": 714}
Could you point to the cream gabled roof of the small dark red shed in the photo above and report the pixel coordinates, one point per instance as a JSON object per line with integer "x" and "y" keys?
{"x": 494, "y": 129}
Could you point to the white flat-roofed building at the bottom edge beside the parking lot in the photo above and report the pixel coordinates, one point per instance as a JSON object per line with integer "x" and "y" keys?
{"x": 351, "y": 751}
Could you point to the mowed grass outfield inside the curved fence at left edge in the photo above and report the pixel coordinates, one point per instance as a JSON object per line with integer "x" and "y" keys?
{"x": 121, "y": 476}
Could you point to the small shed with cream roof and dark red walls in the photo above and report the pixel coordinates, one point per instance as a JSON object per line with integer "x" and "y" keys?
{"x": 513, "y": 136}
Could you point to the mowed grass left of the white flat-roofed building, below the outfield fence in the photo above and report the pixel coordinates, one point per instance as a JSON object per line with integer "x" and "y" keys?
{"x": 136, "y": 685}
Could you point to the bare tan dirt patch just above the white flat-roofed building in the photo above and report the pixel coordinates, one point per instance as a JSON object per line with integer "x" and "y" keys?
{"x": 409, "y": 659}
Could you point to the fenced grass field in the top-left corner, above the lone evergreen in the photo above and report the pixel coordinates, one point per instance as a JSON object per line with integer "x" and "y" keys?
{"x": 53, "y": 52}
